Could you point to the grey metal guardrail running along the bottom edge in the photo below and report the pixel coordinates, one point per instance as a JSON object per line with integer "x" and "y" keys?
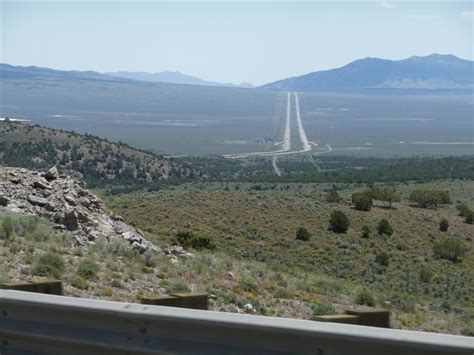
{"x": 39, "y": 323}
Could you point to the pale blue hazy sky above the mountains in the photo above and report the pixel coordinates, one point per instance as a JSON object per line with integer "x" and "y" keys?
{"x": 230, "y": 41}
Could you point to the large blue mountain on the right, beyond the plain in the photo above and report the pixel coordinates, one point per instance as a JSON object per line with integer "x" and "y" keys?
{"x": 432, "y": 72}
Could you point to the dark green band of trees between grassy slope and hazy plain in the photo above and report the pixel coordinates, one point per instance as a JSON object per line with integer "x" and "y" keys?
{"x": 342, "y": 170}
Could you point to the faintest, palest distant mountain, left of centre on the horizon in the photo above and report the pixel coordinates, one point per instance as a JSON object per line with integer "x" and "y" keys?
{"x": 173, "y": 77}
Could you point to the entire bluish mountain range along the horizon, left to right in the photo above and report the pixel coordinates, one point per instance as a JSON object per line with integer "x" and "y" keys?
{"x": 433, "y": 72}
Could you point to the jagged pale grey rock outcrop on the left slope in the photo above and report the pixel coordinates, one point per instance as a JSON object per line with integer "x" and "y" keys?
{"x": 67, "y": 204}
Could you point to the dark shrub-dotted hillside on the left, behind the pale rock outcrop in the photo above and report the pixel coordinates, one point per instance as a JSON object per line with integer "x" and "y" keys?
{"x": 96, "y": 160}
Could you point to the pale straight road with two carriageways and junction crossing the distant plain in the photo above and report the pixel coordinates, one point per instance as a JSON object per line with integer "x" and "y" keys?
{"x": 306, "y": 146}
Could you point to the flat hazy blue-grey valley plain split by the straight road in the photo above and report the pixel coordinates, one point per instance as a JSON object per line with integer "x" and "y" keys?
{"x": 184, "y": 119}
